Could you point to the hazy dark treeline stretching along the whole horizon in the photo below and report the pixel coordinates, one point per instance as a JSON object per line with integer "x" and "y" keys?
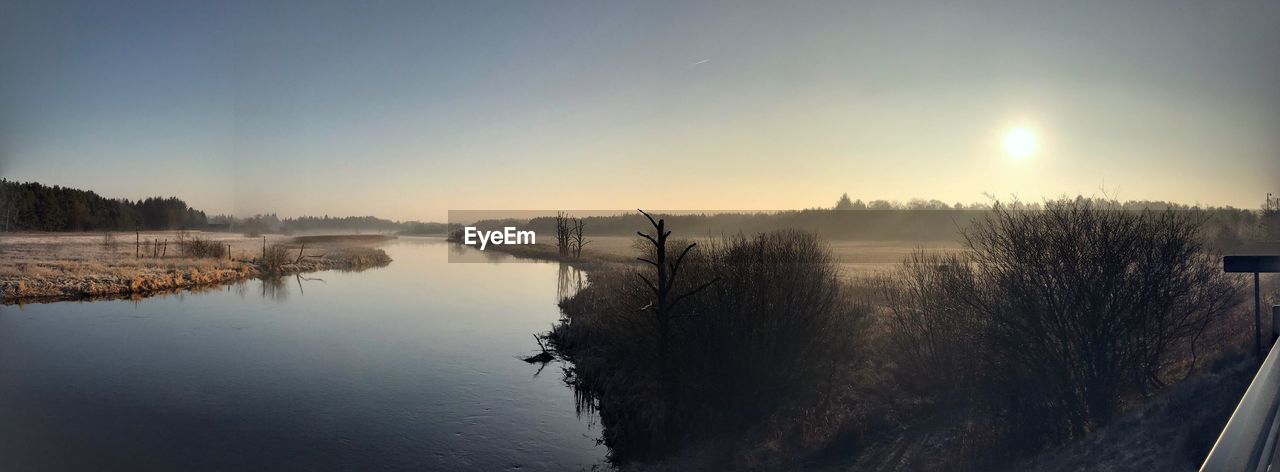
{"x": 33, "y": 207}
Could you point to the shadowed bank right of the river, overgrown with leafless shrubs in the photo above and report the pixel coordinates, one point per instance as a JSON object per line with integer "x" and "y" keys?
{"x": 783, "y": 364}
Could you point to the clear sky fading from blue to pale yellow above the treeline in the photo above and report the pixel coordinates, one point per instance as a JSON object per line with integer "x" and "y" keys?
{"x": 409, "y": 109}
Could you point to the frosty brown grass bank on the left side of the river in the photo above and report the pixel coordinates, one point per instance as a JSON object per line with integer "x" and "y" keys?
{"x": 61, "y": 267}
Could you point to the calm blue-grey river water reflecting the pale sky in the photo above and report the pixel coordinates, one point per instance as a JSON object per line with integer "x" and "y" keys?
{"x": 406, "y": 368}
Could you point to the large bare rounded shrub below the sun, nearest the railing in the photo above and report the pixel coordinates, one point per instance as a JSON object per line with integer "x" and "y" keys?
{"x": 1057, "y": 317}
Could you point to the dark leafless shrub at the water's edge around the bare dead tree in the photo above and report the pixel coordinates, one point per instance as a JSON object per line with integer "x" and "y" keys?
{"x": 770, "y": 334}
